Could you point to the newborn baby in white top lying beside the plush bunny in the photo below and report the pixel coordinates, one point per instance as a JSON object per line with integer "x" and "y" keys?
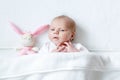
{"x": 61, "y": 34}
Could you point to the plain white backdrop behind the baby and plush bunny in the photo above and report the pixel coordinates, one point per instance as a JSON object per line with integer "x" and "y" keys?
{"x": 98, "y": 20}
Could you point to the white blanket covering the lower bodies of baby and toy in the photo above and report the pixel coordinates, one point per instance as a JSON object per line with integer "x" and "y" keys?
{"x": 61, "y": 66}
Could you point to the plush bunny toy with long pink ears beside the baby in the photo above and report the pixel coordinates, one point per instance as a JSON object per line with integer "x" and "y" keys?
{"x": 28, "y": 39}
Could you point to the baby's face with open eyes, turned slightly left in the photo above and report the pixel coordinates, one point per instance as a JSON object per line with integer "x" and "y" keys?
{"x": 59, "y": 32}
